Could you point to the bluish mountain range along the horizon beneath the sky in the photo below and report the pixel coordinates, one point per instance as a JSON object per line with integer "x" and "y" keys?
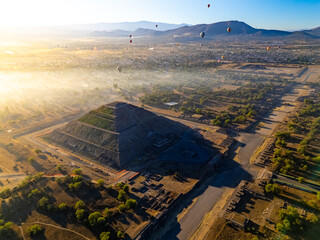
{"x": 218, "y": 30}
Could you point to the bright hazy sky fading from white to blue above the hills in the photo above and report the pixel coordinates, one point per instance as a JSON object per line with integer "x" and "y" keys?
{"x": 275, "y": 14}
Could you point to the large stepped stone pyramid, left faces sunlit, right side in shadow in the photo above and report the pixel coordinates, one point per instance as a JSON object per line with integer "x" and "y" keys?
{"x": 116, "y": 133}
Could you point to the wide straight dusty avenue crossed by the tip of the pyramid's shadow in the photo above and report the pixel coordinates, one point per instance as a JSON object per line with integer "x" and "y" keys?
{"x": 215, "y": 188}
